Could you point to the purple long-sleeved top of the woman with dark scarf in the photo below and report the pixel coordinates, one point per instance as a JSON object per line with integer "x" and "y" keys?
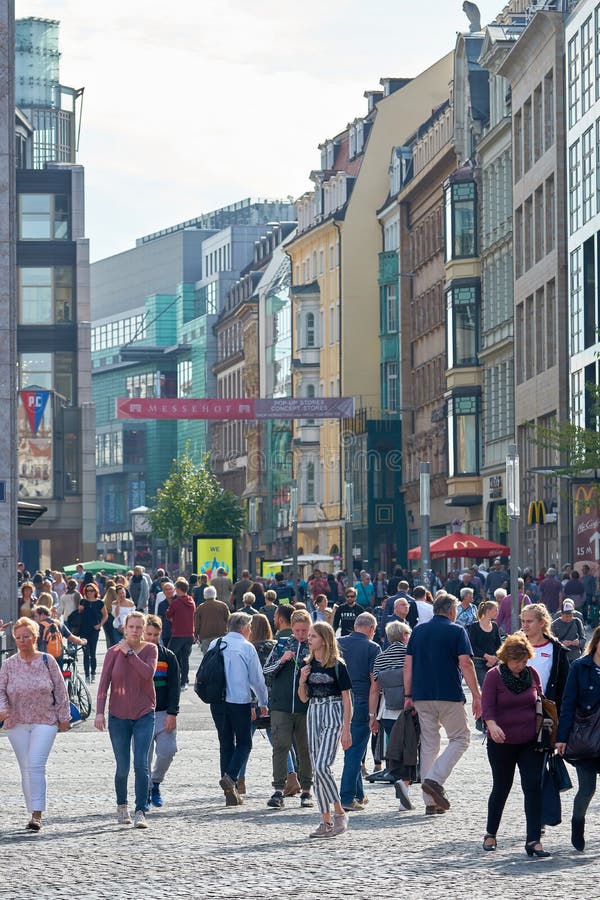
{"x": 514, "y": 713}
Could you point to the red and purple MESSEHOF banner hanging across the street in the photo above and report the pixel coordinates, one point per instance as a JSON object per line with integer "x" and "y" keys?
{"x": 281, "y": 408}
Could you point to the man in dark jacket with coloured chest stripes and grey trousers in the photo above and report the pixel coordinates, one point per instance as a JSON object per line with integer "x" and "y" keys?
{"x": 166, "y": 685}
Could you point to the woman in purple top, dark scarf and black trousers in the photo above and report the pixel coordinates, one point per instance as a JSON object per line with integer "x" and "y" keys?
{"x": 508, "y": 700}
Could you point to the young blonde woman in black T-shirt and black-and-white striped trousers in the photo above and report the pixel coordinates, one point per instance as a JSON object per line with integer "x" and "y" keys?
{"x": 324, "y": 681}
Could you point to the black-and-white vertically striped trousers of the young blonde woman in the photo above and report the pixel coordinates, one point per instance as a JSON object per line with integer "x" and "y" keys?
{"x": 324, "y": 724}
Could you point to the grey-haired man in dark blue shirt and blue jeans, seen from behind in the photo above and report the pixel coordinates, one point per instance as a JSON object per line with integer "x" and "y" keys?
{"x": 360, "y": 652}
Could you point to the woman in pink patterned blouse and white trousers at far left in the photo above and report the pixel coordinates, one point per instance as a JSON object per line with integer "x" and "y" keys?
{"x": 34, "y": 706}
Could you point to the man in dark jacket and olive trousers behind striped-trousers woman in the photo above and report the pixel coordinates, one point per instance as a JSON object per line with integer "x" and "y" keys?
{"x": 288, "y": 712}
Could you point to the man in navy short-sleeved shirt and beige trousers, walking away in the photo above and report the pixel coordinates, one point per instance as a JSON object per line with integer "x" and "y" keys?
{"x": 438, "y": 654}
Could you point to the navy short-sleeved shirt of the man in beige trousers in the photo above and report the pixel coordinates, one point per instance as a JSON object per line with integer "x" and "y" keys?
{"x": 435, "y": 647}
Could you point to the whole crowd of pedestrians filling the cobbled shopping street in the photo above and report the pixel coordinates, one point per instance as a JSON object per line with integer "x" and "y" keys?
{"x": 367, "y": 666}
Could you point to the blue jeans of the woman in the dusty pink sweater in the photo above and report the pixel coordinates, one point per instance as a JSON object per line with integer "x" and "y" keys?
{"x": 122, "y": 732}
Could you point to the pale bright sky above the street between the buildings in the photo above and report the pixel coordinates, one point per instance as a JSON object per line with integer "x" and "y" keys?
{"x": 194, "y": 104}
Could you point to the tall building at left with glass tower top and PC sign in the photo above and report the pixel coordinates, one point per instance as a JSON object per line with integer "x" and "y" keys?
{"x": 55, "y": 419}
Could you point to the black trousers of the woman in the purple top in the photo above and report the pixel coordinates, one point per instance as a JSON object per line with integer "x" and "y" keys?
{"x": 504, "y": 759}
